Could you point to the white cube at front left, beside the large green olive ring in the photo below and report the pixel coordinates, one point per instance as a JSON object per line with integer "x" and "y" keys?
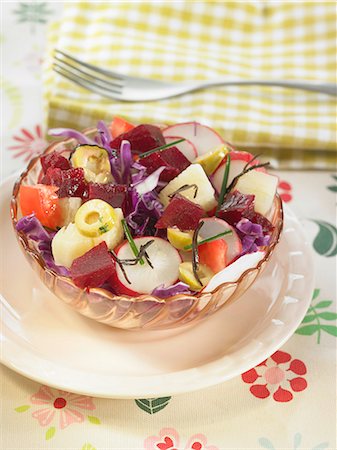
{"x": 69, "y": 244}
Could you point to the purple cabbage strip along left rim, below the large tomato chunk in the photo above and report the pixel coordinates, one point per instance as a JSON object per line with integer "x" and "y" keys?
{"x": 33, "y": 229}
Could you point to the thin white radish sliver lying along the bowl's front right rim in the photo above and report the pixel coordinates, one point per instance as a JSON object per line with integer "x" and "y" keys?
{"x": 235, "y": 270}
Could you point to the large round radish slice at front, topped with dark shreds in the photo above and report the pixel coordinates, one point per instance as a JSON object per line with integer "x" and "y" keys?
{"x": 164, "y": 258}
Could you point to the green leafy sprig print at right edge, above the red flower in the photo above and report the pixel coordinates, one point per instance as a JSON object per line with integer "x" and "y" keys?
{"x": 314, "y": 314}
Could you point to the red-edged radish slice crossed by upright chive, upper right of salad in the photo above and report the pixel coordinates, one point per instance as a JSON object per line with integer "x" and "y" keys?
{"x": 238, "y": 162}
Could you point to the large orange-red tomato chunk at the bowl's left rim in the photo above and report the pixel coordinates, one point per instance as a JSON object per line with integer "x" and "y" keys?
{"x": 42, "y": 200}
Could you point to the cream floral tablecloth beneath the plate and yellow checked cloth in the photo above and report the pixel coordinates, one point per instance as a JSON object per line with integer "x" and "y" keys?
{"x": 286, "y": 402}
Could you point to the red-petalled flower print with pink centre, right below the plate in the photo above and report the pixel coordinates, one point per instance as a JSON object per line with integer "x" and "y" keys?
{"x": 277, "y": 375}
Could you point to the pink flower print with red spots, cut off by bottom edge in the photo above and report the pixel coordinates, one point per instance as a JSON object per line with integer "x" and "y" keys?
{"x": 168, "y": 439}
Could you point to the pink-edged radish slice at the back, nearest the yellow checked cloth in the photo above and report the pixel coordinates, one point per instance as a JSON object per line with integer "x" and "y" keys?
{"x": 202, "y": 137}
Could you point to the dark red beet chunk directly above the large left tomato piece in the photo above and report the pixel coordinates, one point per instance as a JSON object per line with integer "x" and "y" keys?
{"x": 71, "y": 182}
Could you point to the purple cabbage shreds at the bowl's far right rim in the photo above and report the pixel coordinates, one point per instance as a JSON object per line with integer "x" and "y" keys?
{"x": 251, "y": 235}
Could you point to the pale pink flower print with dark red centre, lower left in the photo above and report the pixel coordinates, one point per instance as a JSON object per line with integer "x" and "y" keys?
{"x": 60, "y": 405}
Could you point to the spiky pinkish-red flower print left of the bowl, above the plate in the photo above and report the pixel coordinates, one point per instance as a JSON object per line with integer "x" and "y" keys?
{"x": 29, "y": 144}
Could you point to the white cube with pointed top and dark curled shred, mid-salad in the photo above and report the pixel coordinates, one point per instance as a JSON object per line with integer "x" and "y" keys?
{"x": 193, "y": 175}
